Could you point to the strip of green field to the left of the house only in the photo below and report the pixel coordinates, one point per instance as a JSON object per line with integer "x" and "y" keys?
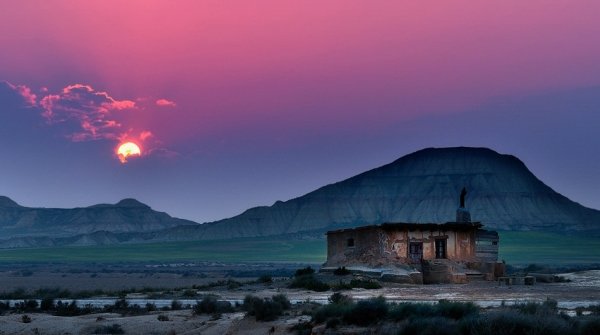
{"x": 239, "y": 250}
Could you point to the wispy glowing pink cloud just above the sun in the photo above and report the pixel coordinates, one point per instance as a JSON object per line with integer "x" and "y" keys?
{"x": 83, "y": 113}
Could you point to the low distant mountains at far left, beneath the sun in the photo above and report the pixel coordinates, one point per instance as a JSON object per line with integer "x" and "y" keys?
{"x": 128, "y": 215}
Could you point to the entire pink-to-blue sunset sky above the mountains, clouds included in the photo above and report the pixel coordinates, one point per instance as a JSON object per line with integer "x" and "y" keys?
{"x": 236, "y": 104}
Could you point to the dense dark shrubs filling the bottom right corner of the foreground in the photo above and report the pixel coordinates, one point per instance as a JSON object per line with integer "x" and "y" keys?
{"x": 447, "y": 317}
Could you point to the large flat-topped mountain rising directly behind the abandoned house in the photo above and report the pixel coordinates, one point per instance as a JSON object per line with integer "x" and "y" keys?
{"x": 421, "y": 187}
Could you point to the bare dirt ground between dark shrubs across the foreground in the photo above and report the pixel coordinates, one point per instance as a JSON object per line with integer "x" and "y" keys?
{"x": 582, "y": 290}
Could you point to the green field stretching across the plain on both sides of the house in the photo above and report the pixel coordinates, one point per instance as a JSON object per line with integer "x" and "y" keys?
{"x": 515, "y": 248}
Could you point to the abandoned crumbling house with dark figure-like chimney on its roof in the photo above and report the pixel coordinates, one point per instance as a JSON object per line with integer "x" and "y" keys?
{"x": 451, "y": 252}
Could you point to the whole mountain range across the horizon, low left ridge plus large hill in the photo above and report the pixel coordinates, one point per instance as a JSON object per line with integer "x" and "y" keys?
{"x": 421, "y": 187}
